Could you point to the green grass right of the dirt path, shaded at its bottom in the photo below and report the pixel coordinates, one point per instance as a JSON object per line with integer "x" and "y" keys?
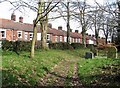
{"x": 103, "y": 71}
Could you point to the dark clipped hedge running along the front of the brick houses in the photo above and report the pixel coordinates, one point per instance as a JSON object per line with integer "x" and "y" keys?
{"x": 26, "y": 45}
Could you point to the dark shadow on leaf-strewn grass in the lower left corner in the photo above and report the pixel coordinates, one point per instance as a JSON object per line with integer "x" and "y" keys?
{"x": 10, "y": 79}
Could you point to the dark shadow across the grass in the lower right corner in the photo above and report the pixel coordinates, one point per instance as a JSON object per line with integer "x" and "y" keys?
{"x": 110, "y": 77}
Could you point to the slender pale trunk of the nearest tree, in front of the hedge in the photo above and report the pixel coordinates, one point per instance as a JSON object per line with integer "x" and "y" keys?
{"x": 33, "y": 41}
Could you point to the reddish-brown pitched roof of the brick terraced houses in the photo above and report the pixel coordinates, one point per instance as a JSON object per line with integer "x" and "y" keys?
{"x": 10, "y": 24}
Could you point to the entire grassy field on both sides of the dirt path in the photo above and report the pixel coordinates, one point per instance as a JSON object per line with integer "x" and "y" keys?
{"x": 23, "y": 71}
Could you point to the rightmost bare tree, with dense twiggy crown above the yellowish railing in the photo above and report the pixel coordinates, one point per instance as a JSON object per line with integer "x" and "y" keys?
{"x": 108, "y": 19}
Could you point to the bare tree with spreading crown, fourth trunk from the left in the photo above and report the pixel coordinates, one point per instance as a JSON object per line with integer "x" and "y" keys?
{"x": 81, "y": 15}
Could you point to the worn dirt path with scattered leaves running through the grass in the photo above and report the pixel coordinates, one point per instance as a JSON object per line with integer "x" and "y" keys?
{"x": 65, "y": 73}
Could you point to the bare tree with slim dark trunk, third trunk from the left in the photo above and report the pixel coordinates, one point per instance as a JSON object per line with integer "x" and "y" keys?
{"x": 64, "y": 11}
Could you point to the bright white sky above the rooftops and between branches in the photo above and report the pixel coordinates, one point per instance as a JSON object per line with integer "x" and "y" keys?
{"x": 5, "y": 12}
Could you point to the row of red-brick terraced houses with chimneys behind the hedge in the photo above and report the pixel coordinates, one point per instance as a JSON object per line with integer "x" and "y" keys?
{"x": 13, "y": 31}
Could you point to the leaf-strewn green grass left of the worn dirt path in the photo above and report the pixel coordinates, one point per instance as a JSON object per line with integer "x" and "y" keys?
{"x": 21, "y": 70}
